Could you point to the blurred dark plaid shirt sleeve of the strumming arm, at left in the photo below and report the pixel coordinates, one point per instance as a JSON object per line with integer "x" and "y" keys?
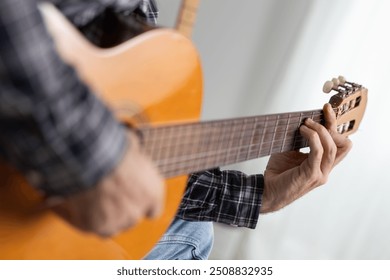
{"x": 52, "y": 127}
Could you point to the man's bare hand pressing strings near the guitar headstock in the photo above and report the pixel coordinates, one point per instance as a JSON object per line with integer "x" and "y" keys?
{"x": 290, "y": 175}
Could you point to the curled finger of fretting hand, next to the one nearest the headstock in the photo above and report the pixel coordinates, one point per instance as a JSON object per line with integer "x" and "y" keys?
{"x": 328, "y": 145}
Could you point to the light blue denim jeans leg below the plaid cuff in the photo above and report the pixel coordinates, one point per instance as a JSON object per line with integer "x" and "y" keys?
{"x": 184, "y": 240}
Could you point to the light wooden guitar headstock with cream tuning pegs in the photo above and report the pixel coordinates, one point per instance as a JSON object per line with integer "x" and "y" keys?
{"x": 349, "y": 103}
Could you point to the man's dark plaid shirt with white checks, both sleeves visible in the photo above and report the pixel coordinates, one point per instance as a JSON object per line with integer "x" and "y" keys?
{"x": 47, "y": 134}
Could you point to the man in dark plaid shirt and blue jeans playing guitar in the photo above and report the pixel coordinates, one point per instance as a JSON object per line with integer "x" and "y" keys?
{"x": 93, "y": 171}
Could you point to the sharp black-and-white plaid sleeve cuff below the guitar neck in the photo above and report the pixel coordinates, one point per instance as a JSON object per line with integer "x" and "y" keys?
{"x": 228, "y": 197}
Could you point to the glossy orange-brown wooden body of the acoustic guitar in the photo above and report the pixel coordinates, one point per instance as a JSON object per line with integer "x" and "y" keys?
{"x": 156, "y": 75}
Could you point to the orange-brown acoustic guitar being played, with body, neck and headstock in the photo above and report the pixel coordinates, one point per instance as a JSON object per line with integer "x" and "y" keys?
{"x": 158, "y": 75}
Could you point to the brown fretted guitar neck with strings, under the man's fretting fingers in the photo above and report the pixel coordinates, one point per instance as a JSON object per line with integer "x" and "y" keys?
{"x": 191, "y": 147}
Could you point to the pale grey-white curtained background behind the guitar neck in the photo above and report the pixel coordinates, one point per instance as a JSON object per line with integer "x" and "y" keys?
{"x": 272, "y": 56}
